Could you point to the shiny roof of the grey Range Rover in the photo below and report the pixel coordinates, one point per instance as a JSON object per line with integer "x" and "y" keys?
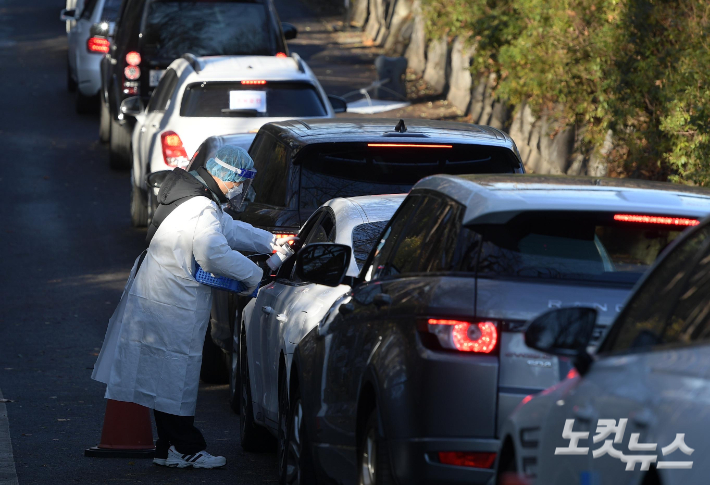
{"x": 497, "y": 198}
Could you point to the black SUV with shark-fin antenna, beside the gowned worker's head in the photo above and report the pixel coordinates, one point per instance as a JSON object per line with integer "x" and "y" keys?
{"x": 303, "y": 163}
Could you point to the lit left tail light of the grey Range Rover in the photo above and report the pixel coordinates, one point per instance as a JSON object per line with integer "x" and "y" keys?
{"x": 479, "y": 337}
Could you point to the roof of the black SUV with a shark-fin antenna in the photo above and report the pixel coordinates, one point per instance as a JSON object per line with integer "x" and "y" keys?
{"x": 304, "y": 132}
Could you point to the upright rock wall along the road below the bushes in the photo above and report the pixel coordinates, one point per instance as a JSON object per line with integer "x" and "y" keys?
{"x": 545, "y": 145}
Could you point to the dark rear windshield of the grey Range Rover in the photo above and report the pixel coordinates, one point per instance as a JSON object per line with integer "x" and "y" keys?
{"x": 572, "y": 246}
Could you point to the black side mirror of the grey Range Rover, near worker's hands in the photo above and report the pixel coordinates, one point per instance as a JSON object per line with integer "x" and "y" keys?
{"x": 323, "y": 263}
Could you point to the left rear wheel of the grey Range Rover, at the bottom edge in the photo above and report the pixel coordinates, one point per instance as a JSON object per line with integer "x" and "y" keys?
{"x": 375, "y": 467}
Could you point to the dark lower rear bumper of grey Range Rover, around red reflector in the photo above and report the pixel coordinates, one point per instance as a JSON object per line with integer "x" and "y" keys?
{"x": 416, "y": 461}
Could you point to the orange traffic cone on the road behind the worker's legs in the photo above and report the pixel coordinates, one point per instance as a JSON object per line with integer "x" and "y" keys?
{"x": 127, "y": 432}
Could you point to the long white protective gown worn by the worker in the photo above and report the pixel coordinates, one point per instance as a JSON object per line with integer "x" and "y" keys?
{"x": 153, "y": 348}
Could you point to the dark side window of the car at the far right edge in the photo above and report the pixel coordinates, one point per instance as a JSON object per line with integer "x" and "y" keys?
{"x": 643, "y": 320}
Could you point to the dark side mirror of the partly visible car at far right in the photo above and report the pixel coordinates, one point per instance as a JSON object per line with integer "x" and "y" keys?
{"x": 564, "y": 332}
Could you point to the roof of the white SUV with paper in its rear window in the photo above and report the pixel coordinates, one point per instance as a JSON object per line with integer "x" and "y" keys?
{"x": 233, "y": 68}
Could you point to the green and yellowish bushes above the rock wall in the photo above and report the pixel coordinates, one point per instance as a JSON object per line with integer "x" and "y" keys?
{"x": 640, "y": 68}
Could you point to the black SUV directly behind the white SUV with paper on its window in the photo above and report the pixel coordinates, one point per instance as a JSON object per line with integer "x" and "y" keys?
{"x": 150, "y": 34}
